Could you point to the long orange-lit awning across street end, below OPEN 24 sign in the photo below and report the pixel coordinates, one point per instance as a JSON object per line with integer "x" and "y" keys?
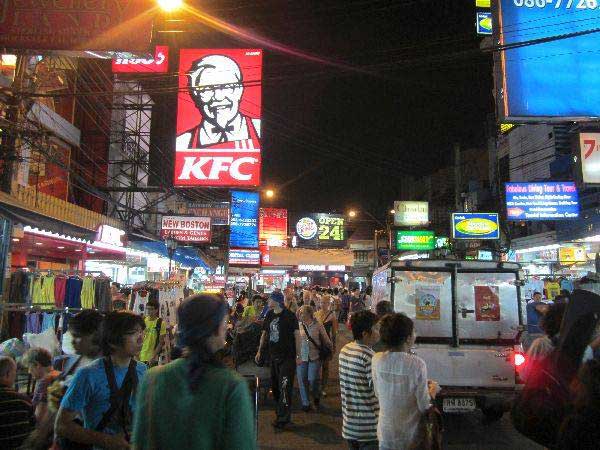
{"x": 300, "y": 256}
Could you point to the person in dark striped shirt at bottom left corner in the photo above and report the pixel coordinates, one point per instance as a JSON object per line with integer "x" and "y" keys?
{"x": 16, "y": 414}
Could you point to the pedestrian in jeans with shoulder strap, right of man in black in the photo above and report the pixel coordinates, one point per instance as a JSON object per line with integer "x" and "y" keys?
{"x": 314, "y": 340}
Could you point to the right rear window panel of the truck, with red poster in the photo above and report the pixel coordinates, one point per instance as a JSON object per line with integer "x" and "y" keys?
{"x": 487, "y": 306}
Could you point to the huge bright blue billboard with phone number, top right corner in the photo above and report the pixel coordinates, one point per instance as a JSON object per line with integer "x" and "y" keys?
{"x": 559, "y": 78}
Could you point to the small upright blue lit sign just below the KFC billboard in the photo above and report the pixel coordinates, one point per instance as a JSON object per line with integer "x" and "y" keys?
{"x": 244, "y": 219}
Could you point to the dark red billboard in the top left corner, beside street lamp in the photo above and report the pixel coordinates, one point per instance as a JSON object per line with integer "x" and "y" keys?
{"x": 76, "y": 25}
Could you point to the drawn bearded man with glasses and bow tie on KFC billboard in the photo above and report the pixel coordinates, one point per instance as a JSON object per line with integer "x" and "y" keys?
{"x": 216, "y": 86}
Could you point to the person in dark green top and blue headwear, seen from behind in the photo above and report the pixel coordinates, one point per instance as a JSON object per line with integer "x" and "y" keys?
{"x": 195, "y": 402}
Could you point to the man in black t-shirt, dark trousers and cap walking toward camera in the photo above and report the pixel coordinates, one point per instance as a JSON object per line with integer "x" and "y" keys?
{"x": 281, "y": 338}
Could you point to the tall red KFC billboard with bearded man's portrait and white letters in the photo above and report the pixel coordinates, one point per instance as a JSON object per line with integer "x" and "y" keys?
{"x": 218, "y": 118}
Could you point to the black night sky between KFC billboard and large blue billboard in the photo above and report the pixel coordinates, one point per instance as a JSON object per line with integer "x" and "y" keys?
{"x": 411, "y": 84}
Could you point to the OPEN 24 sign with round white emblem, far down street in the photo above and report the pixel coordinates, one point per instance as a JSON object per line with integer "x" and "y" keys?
{"x": 321, "y": 230}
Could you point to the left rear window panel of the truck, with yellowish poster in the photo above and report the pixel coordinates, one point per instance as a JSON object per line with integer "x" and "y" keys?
{"x": 425, "y": 297}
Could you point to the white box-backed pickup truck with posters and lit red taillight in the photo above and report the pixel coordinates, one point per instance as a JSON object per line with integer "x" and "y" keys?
{"x": 468, "y": 317}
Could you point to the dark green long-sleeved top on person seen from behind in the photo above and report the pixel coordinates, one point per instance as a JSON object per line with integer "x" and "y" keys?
{"x": 218, "y": 415}
